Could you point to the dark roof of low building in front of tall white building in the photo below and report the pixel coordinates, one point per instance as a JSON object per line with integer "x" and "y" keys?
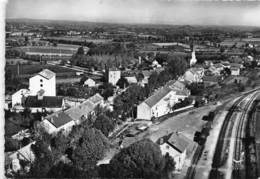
{"x": 47, "y": 101}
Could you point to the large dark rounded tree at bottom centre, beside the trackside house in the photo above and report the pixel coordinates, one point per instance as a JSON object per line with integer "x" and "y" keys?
{"x": 142, "y": 159}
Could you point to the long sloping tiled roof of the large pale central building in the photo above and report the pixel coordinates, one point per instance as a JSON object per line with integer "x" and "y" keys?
{"x": 157, "y": 96}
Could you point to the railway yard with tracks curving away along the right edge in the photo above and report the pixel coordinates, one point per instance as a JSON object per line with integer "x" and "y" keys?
{"x": 230, "y": 148}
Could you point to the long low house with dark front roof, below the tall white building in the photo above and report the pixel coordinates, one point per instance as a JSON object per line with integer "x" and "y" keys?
{"x": 65, "y": 120}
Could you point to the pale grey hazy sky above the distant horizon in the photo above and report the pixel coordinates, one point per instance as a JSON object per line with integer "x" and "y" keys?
{"x": 180, "y": 12}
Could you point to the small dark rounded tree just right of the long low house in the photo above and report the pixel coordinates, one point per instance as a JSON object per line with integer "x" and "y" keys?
{"x": 104, "y": 124}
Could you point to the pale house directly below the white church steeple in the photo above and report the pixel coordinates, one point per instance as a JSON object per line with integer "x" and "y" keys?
{"x": 194, "y": 75}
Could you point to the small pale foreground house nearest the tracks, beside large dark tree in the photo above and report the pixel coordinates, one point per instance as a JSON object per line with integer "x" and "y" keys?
{"x": 176, "y": 145}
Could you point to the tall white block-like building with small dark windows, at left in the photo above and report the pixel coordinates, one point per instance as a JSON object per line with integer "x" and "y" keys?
{"x": 45, "y": 80}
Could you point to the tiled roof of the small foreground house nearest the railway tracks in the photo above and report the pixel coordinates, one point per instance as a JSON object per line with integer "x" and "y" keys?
{"x": 178, "y": 141}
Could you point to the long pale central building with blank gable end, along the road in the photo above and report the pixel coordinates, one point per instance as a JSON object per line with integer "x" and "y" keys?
{"x": 161, "y": 102}
